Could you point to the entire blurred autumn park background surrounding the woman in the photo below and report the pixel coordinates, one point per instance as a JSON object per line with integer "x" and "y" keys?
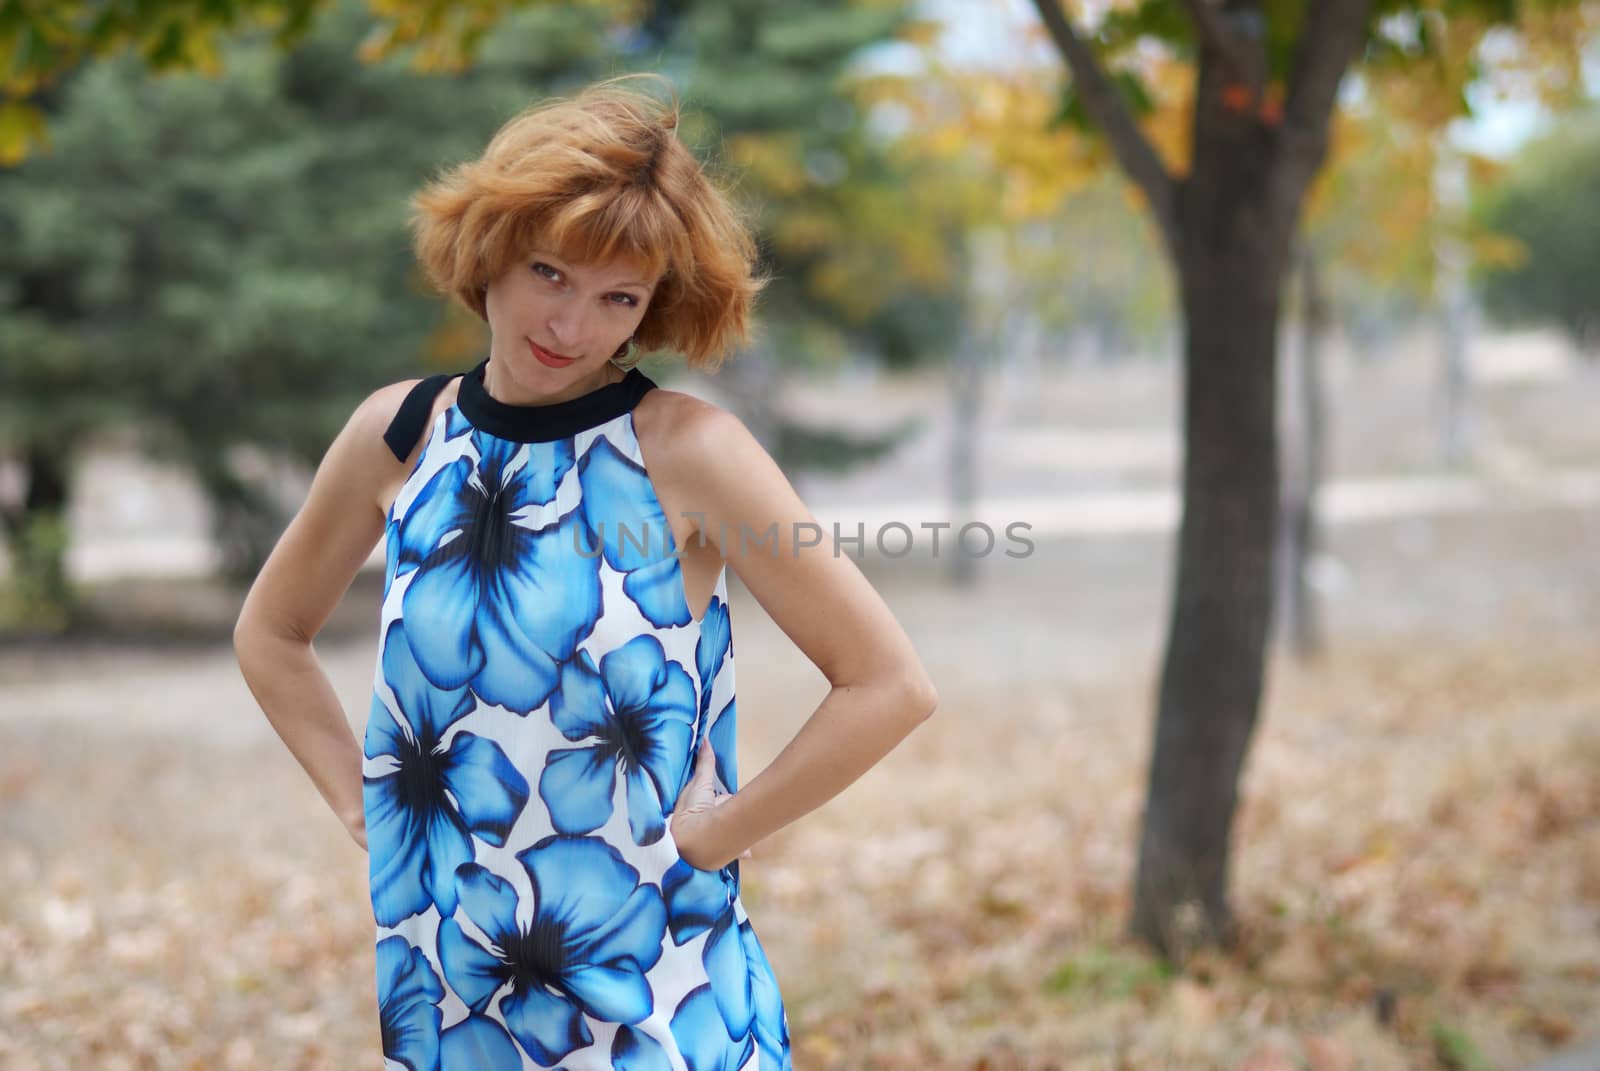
{"x": 1271, "y": 745}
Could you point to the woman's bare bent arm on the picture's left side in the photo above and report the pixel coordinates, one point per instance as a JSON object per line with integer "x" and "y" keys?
{"x": 300, "y": 585}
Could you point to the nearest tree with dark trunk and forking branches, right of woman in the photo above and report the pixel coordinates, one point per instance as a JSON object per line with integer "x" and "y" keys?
{"x": 1265, "y": 90}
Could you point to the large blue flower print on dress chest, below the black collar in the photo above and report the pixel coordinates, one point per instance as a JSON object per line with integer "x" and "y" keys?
{"x": 505, "y": 604}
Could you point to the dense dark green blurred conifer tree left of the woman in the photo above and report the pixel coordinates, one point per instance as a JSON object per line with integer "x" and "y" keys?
{"x": 201, "y": 265}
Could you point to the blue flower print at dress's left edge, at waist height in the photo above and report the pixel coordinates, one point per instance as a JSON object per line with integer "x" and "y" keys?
{"x": 423, "y": 812}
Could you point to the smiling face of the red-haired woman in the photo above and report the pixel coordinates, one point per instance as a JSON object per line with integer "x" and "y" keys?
{"x": 556, "y": 324}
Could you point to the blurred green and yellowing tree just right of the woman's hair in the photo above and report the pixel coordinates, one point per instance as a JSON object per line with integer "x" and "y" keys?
{"x": 862, "y": 244}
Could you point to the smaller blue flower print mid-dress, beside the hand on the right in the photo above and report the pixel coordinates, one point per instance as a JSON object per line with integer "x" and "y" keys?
{"x": 638, "y": 716}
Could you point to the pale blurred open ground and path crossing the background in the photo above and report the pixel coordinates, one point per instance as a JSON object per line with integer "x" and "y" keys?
{"x": 1073, "y": 451}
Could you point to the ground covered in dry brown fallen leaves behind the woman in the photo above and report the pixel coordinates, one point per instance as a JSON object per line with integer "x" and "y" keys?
{"x": 1418, "y": 883}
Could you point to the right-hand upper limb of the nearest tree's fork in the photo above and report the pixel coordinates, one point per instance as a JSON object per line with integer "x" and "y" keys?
{"x": 1330, "y": 39}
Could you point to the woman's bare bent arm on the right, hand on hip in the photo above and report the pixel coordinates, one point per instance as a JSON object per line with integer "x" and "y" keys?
{"x": 881, "y": 691}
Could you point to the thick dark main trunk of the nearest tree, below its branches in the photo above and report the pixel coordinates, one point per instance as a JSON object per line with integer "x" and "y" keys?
{"x": 1233, "y": 247}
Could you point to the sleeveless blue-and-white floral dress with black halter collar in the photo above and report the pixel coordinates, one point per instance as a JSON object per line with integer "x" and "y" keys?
{"x": 540, "y": 699}
